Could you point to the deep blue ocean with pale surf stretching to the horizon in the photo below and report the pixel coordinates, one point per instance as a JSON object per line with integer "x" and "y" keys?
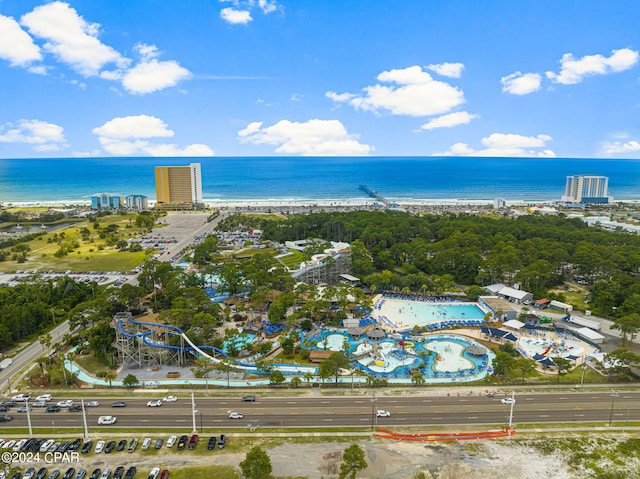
{"x": 317, "y": 179}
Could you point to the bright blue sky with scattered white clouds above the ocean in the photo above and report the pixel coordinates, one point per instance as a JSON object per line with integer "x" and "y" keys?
{"x": 319, "y": 77}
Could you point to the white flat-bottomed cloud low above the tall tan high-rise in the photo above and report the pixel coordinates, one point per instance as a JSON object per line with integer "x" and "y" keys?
{"x": 129, "y": 136}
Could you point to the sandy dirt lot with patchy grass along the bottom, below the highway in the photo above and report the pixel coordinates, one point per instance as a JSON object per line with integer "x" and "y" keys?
{"x": 396, "y": 460}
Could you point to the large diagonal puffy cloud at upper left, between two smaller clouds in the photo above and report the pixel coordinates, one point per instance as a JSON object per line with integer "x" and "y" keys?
{"x": 71, "y": 39}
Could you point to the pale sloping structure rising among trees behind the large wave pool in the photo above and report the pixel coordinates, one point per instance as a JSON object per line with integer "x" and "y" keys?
{"x": 326, "y": 267}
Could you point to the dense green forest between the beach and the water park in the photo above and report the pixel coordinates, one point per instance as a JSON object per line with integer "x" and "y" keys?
{"x": 397, "y": 250}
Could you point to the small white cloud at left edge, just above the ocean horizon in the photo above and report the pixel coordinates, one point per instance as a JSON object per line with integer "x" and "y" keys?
{"x": 45, "y": 136}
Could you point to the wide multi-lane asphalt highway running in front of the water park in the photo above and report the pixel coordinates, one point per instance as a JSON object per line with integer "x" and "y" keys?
{"x": 464, "y": 411}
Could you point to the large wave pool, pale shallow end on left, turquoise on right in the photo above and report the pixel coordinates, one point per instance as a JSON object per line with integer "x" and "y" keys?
{"x": 402, "y": 313}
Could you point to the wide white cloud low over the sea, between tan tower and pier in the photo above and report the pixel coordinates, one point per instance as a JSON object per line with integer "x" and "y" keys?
{"x": 311, "y": 138}
